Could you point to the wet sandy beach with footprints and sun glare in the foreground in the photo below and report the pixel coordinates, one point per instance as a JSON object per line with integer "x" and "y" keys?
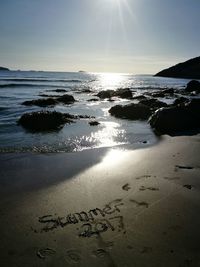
{"x": 103, "y": 207}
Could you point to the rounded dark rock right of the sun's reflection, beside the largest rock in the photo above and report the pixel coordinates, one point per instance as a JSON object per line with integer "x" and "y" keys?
{"x": 131, "y": 111}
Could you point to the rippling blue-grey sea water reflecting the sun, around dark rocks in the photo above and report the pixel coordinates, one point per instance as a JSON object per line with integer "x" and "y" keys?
{"x": 19, "y": 86}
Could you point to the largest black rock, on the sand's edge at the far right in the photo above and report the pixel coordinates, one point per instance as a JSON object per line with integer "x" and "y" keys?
{"x": 174, "y": 120}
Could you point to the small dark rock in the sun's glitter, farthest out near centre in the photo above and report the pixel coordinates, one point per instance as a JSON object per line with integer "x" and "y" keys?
{"x": 122, "y": 93}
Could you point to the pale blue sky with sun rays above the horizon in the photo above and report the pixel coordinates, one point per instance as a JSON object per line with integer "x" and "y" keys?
{"x": 125, "y": 36}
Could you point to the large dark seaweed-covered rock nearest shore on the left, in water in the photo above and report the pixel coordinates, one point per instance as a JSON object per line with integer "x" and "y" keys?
{"x": 44, "y": 121}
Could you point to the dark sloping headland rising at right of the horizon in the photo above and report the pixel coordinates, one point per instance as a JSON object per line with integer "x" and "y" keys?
{"x": 189, "y": 69}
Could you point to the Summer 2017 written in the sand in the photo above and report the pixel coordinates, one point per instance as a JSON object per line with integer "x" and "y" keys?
{"x": 94, "y": 221}
